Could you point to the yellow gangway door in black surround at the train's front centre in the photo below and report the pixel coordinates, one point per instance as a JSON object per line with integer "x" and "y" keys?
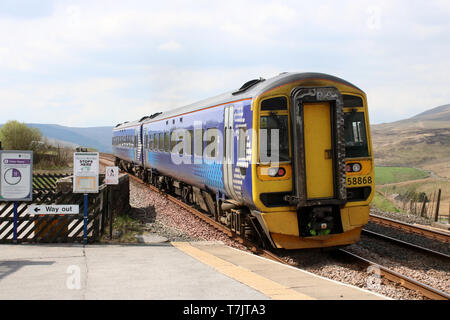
{"x": 318, "y": 145}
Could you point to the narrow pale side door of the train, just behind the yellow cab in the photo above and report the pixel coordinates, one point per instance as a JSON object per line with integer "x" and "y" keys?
{"x": 229, "y": 151}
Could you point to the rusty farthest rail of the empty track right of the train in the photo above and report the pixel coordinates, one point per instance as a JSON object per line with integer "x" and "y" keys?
{"x": 429, "y": 233}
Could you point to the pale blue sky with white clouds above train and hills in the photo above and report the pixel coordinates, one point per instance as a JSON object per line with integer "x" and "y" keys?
{"x": 98, "y": 63}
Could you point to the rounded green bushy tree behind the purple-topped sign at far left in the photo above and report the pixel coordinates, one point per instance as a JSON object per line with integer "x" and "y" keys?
{"x": 17, "y": 136}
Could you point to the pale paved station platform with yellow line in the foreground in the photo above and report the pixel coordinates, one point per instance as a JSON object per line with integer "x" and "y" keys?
{"x": 177, "y": 270}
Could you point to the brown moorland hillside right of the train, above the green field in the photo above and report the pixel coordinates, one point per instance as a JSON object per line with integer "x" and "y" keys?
{"x": 421, "y": 141}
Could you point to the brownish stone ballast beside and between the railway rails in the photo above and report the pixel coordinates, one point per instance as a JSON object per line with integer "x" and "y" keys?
{"x": 167, "y": 219}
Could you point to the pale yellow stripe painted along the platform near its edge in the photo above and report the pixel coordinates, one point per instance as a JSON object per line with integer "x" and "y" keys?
{"x": 266, "y": 286}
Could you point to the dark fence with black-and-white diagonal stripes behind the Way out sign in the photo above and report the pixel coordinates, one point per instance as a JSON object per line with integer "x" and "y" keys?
{"x": 54, "y": 228}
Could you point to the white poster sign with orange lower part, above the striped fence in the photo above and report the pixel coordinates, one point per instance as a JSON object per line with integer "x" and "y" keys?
{"x": 85, "y": 172}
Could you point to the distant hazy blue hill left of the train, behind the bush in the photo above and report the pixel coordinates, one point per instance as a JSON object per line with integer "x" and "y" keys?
{"x": 92, "y": 137}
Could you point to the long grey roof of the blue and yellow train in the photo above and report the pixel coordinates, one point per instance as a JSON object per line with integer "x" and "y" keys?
{"x": 249, "y": 90}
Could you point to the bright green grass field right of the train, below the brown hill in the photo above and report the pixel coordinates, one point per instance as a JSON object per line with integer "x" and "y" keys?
{"x": 384, "y": 175}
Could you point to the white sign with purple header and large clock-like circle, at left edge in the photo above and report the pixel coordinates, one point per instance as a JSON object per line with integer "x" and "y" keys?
{"x": 16, "y": 175}
